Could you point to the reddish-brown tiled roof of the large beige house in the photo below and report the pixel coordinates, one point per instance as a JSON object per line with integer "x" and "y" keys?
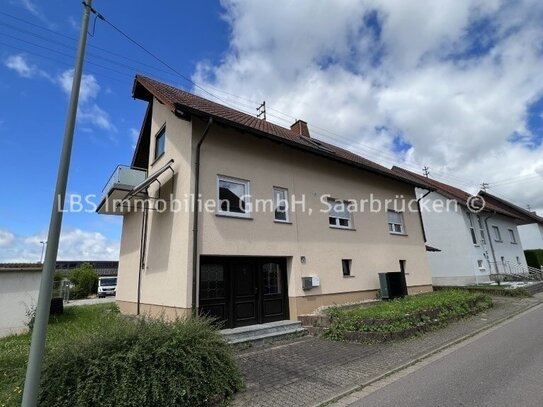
{"x": 176, "y": 99}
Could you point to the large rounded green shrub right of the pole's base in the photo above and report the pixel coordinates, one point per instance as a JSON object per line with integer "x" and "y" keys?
{"x": 142, "y": 363}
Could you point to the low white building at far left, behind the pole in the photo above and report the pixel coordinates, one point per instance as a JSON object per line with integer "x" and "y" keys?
{"x": 19, "y": 286}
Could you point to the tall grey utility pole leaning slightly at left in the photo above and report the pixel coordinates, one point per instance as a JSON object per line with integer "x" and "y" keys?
{"x": 37, "y": 346}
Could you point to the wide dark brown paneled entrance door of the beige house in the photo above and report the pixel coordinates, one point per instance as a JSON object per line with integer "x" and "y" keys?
{"x": 240, "y": 291}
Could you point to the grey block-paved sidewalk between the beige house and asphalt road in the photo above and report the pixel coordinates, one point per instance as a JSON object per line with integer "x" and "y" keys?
{"x": 309, "y": 371}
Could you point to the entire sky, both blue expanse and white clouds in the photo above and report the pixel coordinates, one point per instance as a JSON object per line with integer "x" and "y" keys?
{"x": 455, "y": 86}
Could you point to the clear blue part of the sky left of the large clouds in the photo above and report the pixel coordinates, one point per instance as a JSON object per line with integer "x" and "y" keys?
{"x": 34, "y": 102}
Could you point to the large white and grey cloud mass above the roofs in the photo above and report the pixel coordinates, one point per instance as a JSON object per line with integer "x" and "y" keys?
{"x": 453, "y": 79}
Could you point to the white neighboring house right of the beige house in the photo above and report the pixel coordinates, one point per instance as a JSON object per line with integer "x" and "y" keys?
{"x": 474, "y": 244}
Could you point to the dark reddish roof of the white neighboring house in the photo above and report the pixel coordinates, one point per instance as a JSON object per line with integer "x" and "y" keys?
{"x": 456, "y": 193}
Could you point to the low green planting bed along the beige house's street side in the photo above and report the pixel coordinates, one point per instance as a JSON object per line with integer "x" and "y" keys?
{"x": 405, "y": 317}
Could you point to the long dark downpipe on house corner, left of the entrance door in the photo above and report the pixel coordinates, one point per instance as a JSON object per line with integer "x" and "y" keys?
{"x": 196, "y": 212}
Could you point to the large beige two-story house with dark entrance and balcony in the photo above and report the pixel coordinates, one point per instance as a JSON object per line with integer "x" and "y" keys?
{"x": 278, "y": 229}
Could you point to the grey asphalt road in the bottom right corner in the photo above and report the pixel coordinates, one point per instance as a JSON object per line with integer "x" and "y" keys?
{"x": 502, "y": 368}
